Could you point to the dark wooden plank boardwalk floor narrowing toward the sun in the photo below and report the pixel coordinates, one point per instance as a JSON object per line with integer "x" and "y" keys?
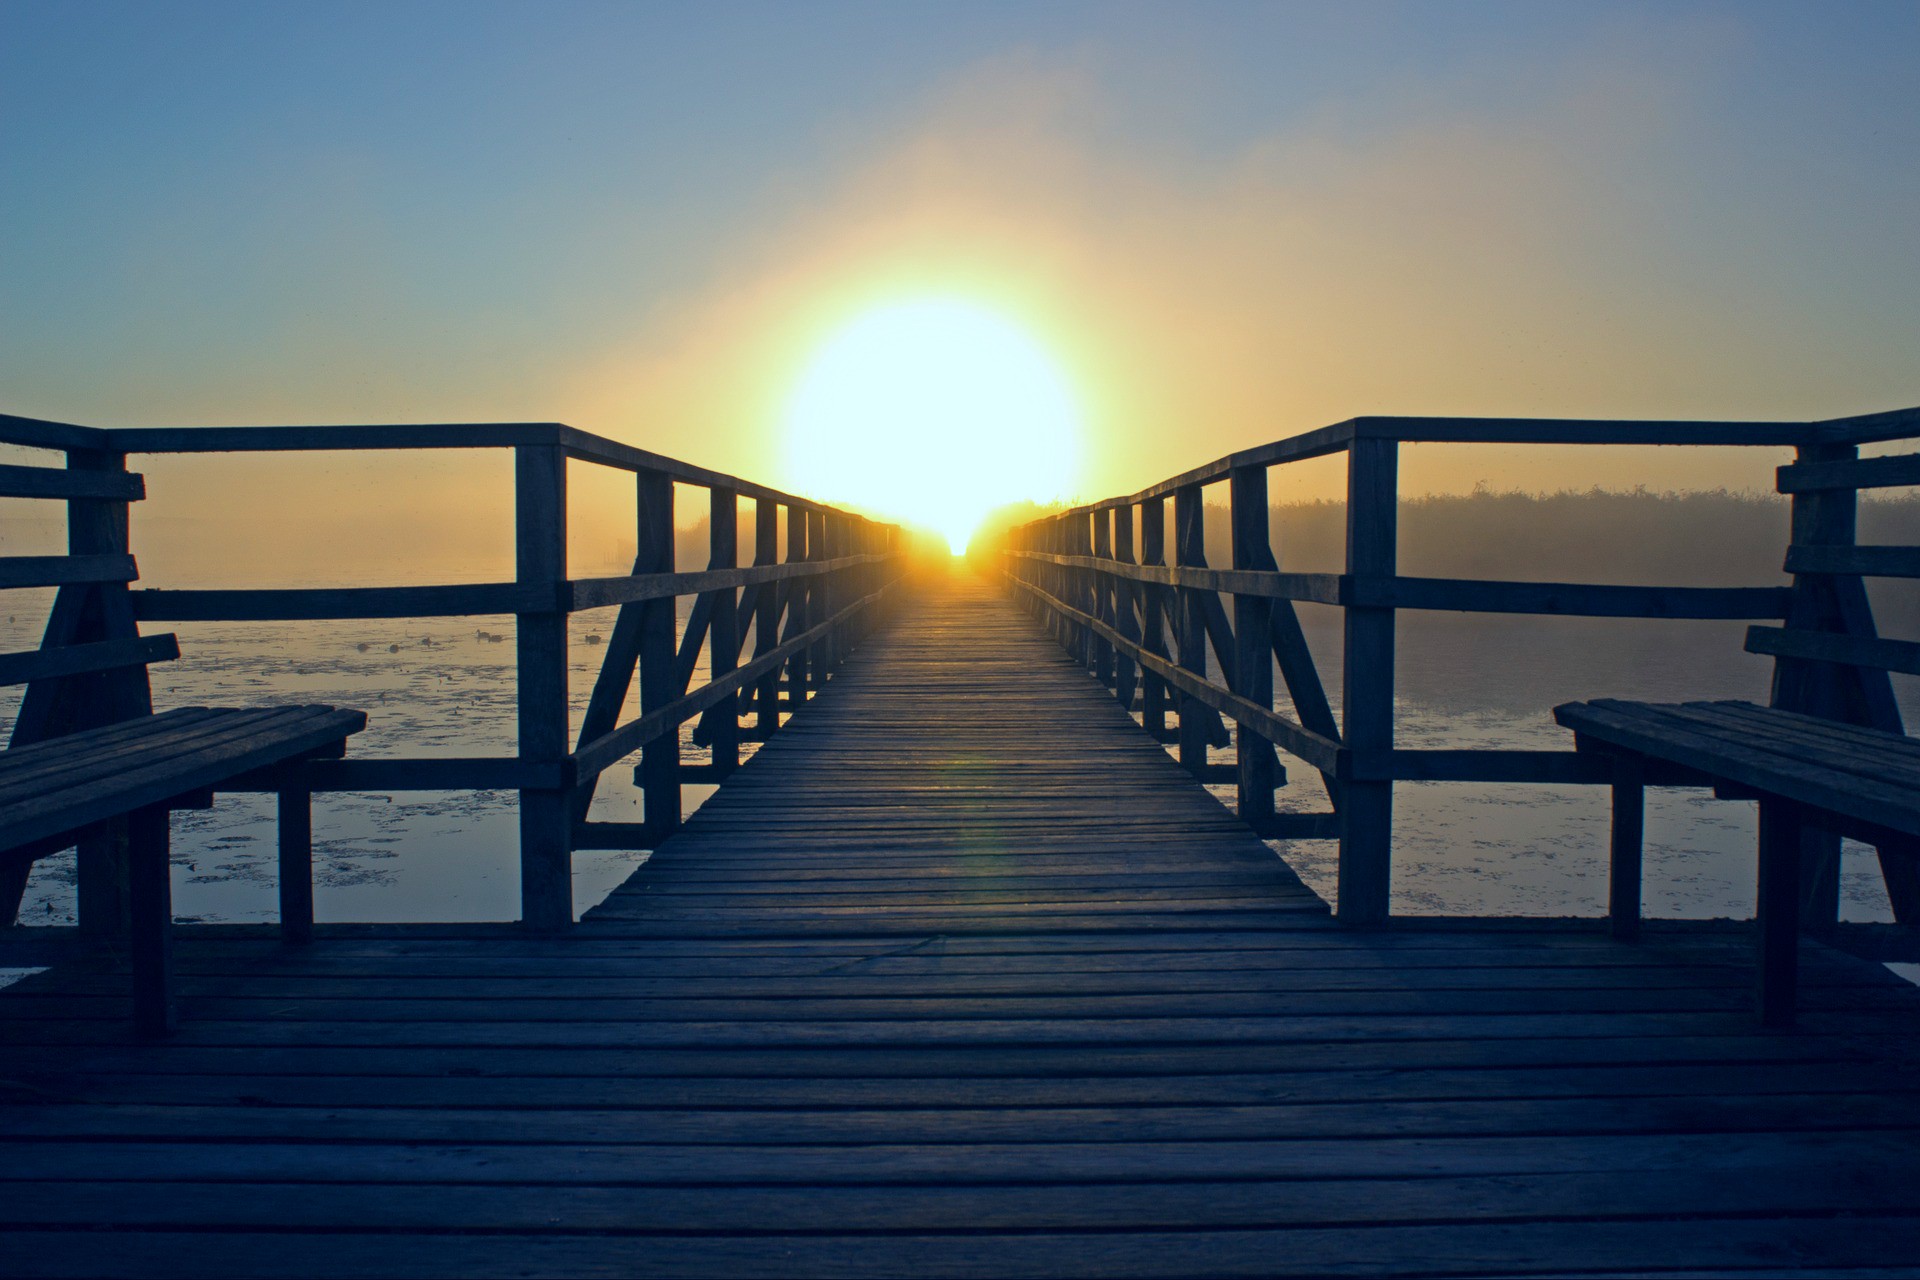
{"x": 963, "y": 978}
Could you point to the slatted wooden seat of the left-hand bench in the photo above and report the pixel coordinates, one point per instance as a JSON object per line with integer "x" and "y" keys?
{"x": 166, "y": 770}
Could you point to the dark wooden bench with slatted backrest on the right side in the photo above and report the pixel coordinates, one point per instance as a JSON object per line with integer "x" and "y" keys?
{"x": 1829, "y": 759}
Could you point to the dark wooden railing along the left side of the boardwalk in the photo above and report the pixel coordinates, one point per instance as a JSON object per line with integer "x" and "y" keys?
{"x": 807, "y": 609}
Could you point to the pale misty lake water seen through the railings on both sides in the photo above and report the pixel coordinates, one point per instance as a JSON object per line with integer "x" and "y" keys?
{"x": 446, "y": 688}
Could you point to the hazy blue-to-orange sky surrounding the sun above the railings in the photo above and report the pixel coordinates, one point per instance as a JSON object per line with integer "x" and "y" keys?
{"x": 1224, "y": 224}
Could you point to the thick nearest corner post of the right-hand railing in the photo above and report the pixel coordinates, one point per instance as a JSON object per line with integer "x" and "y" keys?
{"x": 1368, "y": 703}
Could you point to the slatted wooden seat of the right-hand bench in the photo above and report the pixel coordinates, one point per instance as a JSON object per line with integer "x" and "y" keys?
{"x": 1737, "y": 751}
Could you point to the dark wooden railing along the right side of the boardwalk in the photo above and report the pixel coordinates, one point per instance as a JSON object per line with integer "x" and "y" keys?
{"x": 1149, "y": 625}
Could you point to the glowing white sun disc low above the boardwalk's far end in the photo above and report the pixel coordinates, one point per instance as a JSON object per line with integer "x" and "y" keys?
{"x": 936, "y": 412}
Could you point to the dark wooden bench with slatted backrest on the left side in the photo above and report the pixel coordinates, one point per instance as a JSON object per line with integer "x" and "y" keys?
{"x": 89, "y": 765}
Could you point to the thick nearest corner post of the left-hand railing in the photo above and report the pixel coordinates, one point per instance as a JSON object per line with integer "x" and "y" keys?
{"x": 540, "y": 559}
